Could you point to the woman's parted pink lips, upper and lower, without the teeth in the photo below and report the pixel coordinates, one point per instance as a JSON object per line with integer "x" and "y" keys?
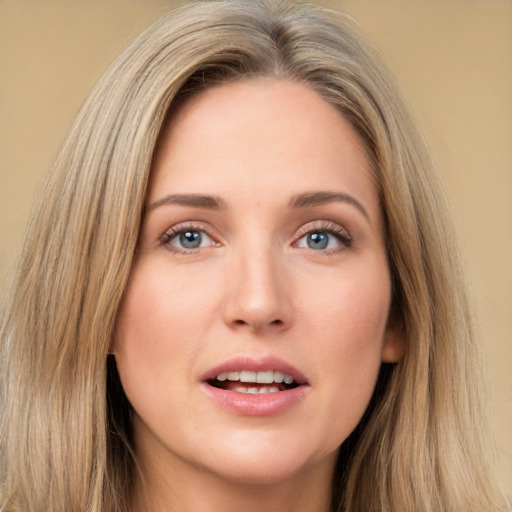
{"x": 267, "y": 404}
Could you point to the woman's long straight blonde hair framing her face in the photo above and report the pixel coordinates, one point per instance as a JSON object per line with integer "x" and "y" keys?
{"x": 66, "y": 429}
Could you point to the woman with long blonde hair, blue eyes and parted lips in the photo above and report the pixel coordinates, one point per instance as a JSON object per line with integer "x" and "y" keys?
{"x": 242, "y": 198}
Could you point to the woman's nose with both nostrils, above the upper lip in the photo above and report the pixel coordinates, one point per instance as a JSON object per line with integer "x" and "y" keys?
{"x": 258, "y": 293}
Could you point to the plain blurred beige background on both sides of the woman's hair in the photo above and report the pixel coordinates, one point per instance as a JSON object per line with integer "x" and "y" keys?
{"x": 452, "y": 58}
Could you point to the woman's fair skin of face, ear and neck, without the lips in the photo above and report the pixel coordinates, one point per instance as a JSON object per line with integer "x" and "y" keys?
{"x": 255, "y": 287}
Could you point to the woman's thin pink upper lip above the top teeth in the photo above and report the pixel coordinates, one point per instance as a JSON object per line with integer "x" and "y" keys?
{"x": 256, "y": 365}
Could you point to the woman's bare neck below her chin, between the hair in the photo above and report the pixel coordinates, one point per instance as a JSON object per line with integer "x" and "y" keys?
{"x": 191, "y": 489}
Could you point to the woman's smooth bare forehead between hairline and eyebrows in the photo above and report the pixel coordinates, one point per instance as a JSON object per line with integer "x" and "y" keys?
{"x": 243, "y": 136}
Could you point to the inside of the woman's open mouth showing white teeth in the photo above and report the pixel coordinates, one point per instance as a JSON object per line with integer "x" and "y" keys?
{"x": 253, "y": 383}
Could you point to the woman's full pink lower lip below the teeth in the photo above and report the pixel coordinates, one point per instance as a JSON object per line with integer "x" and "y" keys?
{"x": 265, "y": 404}
